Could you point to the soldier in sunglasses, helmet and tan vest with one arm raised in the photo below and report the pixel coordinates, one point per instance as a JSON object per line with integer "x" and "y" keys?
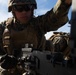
{"x": 23, "y": 28}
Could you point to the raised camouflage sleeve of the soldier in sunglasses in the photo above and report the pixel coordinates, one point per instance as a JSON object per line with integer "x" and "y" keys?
{"x": 55, "y": 18}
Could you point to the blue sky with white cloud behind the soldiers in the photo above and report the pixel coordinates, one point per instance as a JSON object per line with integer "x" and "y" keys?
{"x": 42, "y": 7}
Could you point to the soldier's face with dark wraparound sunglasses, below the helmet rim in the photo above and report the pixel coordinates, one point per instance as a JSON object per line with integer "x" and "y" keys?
{"x": 23, "y": 13}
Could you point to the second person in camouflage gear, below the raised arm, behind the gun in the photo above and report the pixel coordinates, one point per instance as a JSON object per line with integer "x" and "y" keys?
{"x": 60, "y": 42}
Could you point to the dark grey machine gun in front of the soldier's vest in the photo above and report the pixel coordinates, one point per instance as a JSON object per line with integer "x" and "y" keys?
{"x": 47, "y": 63}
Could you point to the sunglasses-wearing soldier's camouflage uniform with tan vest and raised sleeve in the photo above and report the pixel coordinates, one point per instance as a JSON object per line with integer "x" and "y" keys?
{"x": 33, "y": 32}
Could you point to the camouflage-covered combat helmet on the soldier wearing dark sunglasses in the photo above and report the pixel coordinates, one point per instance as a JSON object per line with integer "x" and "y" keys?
{"x": 15, "y": 2}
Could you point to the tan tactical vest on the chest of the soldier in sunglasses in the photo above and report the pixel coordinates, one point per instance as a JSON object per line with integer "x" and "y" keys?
{"x": 18, "y": 39}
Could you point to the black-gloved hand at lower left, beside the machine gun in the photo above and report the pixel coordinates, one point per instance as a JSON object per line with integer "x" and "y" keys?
{"x": 8, "y": 61}
